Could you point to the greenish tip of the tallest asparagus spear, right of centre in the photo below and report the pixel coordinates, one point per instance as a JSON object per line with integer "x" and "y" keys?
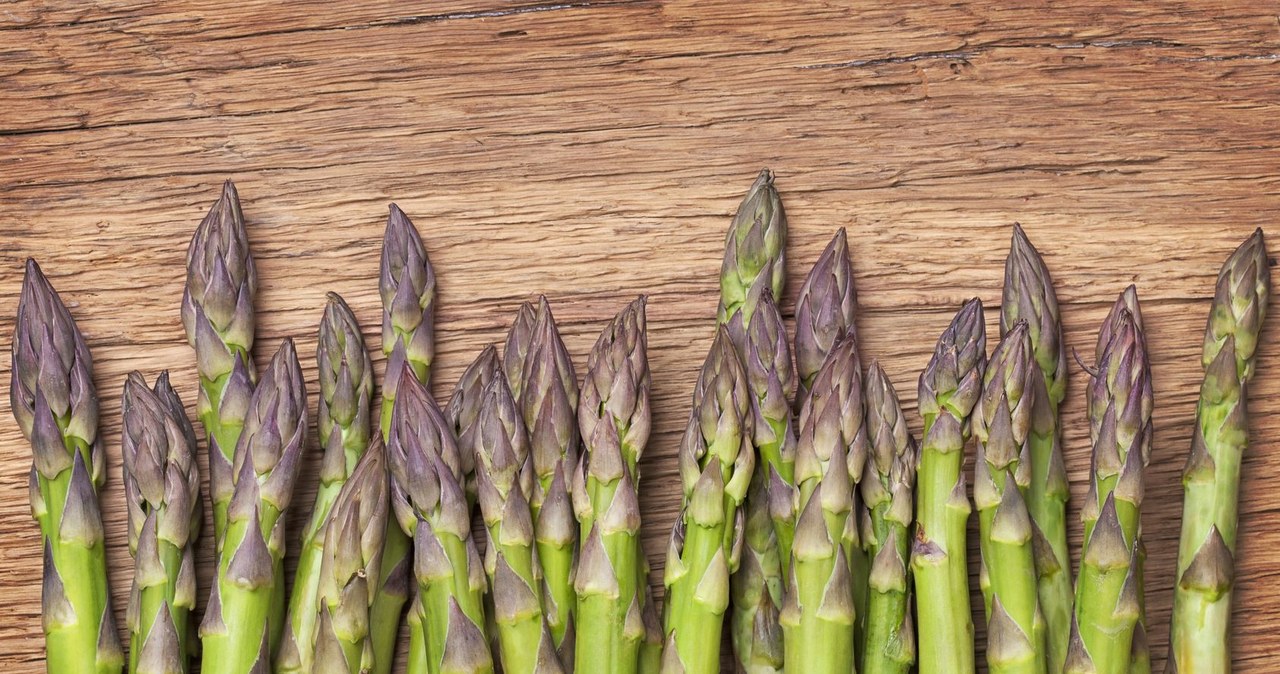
{"x": 755, "y": 247}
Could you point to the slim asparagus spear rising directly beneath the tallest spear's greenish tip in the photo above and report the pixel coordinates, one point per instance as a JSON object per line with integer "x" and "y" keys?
{"x": 757, "y": 588}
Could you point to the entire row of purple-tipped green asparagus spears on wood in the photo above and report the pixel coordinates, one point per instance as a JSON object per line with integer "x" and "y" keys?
{"x": 813, "y": 528}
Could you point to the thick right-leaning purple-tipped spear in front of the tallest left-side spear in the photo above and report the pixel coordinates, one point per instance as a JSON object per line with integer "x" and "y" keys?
{"x": 240, "y": 627}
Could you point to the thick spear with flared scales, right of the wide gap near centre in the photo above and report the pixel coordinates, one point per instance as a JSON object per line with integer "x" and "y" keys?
{"x": 716, "y": 464}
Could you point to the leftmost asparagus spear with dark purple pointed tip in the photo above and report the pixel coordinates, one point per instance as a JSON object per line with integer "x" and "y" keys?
{"x": 54, "y": 404}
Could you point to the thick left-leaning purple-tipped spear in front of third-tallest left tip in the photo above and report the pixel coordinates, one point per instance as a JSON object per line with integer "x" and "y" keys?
{"x": 432, "y": 508}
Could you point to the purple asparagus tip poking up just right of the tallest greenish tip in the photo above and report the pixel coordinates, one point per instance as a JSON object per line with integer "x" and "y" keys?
{"x": 825, "y": 311}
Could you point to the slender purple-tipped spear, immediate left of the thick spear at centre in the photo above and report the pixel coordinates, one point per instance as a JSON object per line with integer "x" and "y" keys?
{"x": 550, "y": 404}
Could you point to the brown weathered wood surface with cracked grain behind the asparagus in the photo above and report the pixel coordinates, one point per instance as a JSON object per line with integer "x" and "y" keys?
{"x": 596, "y": 150}
